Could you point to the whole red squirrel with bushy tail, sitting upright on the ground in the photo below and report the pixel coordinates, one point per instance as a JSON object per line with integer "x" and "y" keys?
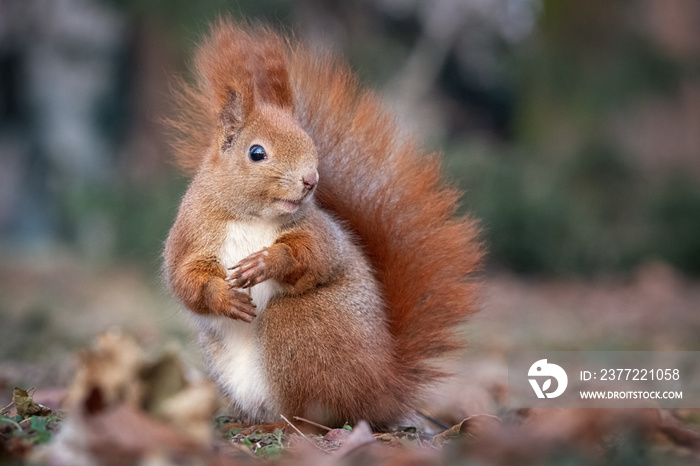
{"x": 317, "y": 248}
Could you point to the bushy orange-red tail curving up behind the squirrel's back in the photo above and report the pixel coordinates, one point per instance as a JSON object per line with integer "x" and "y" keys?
{"x": 393, "y": 197}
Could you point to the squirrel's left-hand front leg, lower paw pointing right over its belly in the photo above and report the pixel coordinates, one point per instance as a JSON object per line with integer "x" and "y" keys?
{"x": 201, "y": 286}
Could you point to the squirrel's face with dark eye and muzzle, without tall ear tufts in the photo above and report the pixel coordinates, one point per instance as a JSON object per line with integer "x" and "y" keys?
{"x": 264, "y": 164}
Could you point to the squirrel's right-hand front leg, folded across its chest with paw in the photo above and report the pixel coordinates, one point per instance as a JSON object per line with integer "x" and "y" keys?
{"x": 296, "y": 260}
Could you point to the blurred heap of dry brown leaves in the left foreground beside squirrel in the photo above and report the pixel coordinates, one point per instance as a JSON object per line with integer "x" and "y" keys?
{"x": 121, "y": 407}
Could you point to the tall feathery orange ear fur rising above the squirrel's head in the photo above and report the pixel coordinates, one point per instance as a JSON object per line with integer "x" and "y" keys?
{"x": 237, "y": 66}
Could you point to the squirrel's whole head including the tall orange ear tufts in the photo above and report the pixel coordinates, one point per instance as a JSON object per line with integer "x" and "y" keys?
{"x": 261, "y": 163}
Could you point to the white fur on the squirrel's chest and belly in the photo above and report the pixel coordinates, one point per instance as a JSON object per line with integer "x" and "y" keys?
{"x": 236, "y": 356}
